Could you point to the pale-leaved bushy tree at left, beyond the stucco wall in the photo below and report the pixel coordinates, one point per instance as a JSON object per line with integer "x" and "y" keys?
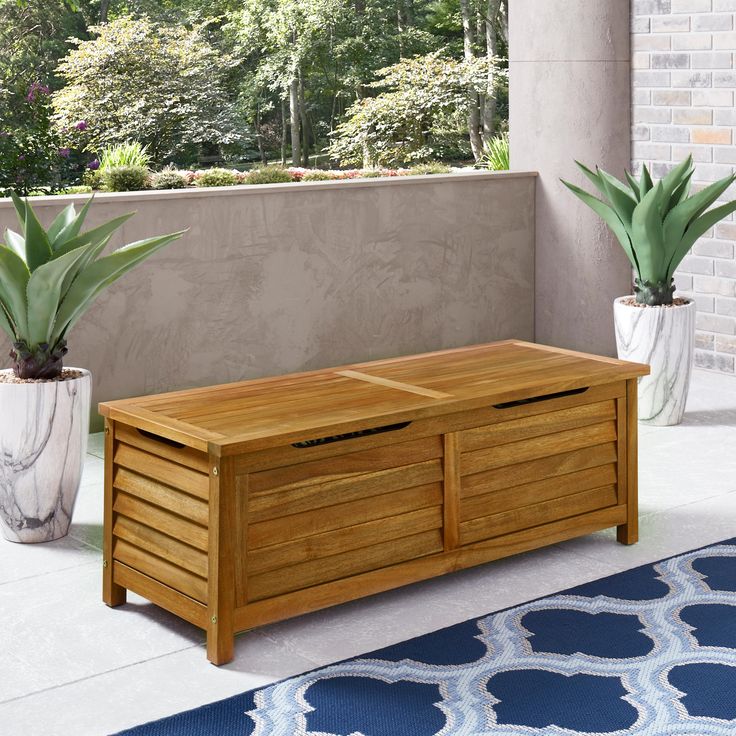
{"x": 136, "y": 80}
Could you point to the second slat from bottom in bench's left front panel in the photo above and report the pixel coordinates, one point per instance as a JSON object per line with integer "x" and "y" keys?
{"x": 343, "y": 540}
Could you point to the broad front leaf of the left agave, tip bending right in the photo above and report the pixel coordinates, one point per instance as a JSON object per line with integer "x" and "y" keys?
{"x": 44, "y": 292}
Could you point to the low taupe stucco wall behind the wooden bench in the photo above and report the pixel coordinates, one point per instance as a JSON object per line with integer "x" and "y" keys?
{"x": 280, "y": 278}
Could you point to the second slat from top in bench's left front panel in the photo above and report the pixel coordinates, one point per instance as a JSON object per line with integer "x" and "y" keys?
{"x": 274, "y": 503}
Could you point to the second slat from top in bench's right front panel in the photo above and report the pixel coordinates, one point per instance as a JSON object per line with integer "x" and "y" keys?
{"x": 537, "y": 447}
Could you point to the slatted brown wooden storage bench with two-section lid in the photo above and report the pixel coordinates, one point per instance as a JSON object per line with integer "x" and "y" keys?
{"x": 247, "y": 503}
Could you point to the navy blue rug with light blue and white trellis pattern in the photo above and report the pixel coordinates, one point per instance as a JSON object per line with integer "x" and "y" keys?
{"x": 646, "y": 652}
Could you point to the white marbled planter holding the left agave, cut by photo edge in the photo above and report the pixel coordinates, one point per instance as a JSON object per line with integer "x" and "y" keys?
{"x": 43, "y": 440}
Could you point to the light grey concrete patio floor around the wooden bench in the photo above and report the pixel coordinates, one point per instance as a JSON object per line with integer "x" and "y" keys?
{"x": 73, "y": 667}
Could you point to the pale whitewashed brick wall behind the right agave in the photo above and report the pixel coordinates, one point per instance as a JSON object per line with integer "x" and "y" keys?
{"x": 684, "y": 89}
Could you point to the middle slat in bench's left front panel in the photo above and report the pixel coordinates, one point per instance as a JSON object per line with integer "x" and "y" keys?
{"x": 343, "y": 515}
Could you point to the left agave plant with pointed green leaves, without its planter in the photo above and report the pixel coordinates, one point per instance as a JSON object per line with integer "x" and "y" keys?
{"x": 48, "y": 278}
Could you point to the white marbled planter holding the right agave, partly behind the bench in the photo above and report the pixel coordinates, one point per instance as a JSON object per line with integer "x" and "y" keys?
{"x": 662, "y": 337}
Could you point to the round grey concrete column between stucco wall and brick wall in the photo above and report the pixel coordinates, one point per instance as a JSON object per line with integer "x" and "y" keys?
{"x": 570, "y": 99}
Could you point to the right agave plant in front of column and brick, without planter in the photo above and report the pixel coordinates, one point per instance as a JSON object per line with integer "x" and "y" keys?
{"x": 656, "y": 223}
